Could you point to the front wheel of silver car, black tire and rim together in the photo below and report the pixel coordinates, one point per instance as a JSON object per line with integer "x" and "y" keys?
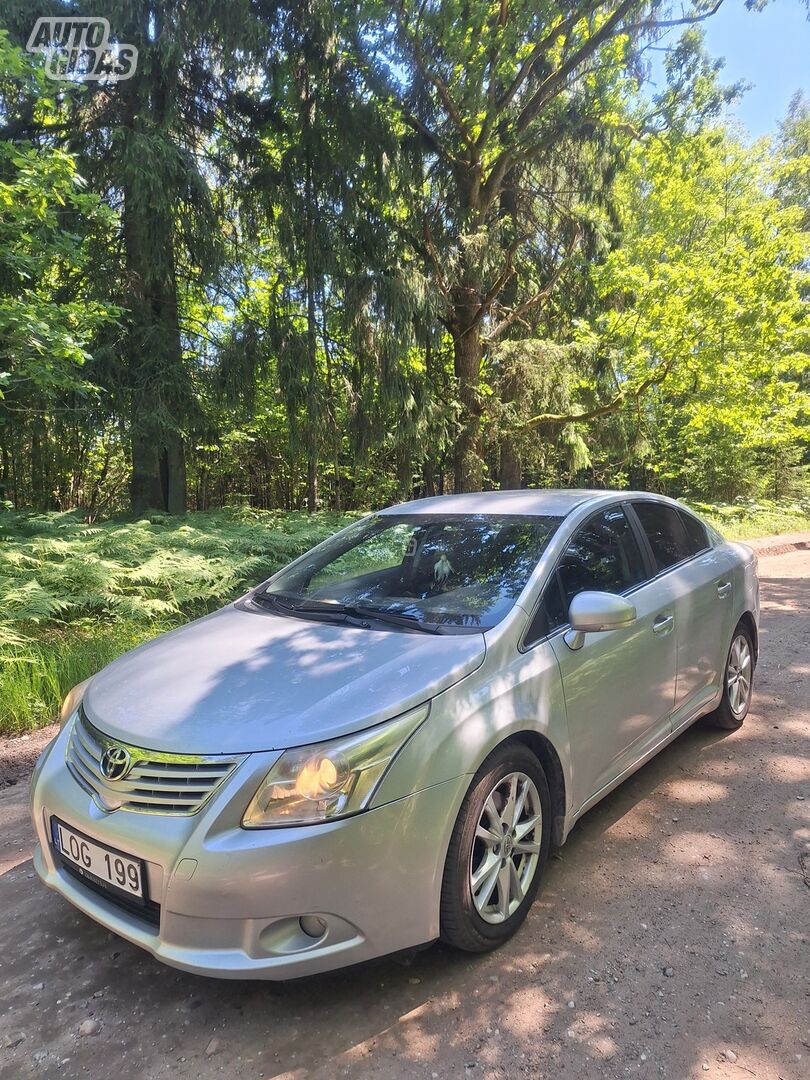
{"x": 510, "y": 865}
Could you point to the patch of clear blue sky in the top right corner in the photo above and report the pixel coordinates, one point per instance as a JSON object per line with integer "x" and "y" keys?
{"x": 769, "y": 49}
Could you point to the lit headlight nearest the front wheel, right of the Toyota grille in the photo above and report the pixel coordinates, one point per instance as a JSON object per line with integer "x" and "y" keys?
{"x": 330, "y": 780}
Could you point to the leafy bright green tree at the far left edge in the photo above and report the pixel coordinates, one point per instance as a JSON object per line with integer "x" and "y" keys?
{"x": 51, "y": 318}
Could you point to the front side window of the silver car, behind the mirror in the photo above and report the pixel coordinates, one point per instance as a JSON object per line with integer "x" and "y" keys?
{"x": 603, "y": 557}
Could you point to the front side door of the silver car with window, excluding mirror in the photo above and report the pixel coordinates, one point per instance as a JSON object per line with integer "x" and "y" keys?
{"x": 620, "y": 686}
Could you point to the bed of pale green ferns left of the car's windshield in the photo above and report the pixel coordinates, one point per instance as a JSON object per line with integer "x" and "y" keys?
{"x": 57, "y": 570}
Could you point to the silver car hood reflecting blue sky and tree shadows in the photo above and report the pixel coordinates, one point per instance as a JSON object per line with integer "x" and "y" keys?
{"x": 238, "y": 682}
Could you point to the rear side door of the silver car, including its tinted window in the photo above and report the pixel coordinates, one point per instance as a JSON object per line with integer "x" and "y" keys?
{"x": 697, "y": 576}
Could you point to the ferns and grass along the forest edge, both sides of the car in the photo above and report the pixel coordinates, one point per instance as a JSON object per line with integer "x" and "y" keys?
{"x": 75, "y": 597}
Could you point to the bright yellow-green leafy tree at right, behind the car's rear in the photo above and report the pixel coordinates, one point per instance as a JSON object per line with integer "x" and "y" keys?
{"x": 704, "y": 308}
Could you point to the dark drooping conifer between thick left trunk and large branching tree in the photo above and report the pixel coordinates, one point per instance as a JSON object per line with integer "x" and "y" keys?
{"x": 331, "y": 302}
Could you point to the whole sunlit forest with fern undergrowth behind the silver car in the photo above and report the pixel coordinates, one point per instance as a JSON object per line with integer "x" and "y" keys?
{"x": 316, "y": 258}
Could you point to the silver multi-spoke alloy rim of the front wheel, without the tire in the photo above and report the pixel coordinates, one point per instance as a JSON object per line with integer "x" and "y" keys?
{"x": 507, "y": 847}
